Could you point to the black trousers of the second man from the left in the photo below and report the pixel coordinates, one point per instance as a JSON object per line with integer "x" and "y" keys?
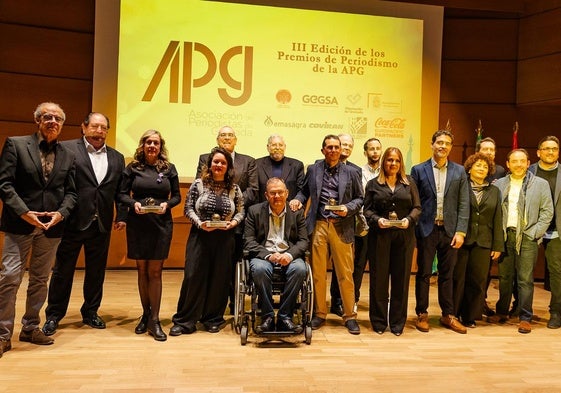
{"x": 96, "y": 248}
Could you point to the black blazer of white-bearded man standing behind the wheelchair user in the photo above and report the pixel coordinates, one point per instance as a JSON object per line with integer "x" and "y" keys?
{"x": 292, "y": 174}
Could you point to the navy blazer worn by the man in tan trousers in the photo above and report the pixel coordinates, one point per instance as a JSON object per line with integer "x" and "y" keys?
{"x": 350, "y": 195}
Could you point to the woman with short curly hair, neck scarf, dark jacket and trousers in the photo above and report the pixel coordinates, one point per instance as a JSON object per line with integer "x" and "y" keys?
{"x": 484, "y": 240}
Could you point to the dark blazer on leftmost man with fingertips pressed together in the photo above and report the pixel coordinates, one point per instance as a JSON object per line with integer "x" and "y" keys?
{"x": 23, "y": 187}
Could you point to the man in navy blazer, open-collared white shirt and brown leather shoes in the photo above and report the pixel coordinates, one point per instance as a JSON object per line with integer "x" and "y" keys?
{"x": 444, "y": 194}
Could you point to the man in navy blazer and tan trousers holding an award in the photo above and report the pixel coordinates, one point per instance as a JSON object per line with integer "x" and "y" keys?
{"x": 329, "y": 183}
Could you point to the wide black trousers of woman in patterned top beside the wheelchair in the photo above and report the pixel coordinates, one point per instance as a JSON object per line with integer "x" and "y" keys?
{"x": 206, "y": 280}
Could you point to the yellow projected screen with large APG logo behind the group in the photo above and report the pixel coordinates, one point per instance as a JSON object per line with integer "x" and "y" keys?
{"x": 188, "y": 67}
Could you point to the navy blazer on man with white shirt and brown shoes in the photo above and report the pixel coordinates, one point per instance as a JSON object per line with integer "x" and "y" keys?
{"x": 456, "y": 198}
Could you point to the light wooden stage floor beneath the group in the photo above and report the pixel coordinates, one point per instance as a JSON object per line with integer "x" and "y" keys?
{"x": 489, "y": 358}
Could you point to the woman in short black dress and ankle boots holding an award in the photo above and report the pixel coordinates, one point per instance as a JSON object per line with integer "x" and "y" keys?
{"x": 154, "y": 184}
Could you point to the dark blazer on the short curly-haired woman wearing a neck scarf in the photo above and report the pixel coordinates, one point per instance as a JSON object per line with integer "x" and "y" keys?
{"x": 486, "y": 220}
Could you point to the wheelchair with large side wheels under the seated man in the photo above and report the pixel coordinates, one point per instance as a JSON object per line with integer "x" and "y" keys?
{"x": 245, "y": 312}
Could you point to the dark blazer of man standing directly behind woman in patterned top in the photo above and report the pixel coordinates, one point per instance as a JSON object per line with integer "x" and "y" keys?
{"x": 245, "y": 175}
